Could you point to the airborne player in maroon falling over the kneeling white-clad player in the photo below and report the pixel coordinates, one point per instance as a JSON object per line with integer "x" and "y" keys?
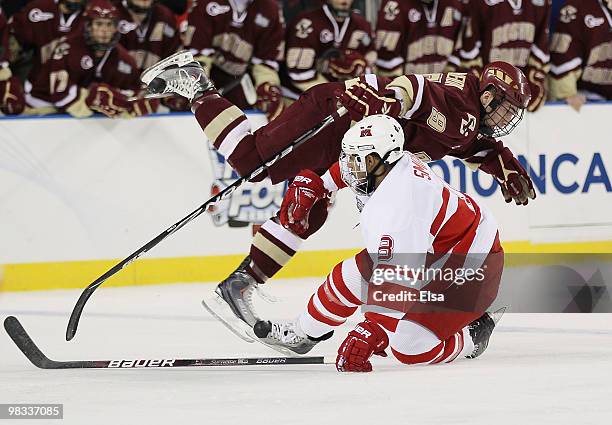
{"x": 454, "y": 114}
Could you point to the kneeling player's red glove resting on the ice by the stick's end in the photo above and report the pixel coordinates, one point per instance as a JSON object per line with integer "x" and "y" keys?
{"x": 361, "y": 343}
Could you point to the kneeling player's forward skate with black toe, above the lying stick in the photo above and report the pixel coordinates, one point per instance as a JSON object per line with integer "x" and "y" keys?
{"x": 286, "y": 337}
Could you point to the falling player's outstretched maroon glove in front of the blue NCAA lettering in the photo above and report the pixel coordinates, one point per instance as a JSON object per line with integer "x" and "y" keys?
{"x": 513, "y": 179}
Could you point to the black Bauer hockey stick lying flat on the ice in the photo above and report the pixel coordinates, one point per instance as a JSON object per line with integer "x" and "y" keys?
{"x": 23, "y": 341}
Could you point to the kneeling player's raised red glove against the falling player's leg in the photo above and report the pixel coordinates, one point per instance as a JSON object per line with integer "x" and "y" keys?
{"x": 306, "y": 189}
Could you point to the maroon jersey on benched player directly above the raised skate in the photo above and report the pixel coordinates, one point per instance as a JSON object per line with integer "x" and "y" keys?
{"x": 155, "y": 38}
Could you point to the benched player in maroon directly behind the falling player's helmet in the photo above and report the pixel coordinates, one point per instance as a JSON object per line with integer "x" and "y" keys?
{"x": 514, "y": 31}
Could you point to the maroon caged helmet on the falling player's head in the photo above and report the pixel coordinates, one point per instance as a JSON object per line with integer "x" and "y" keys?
{"x": 511, "y": 94}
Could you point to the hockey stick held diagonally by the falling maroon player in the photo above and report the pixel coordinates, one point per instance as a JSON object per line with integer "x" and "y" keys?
{"x": 73, "y": 322}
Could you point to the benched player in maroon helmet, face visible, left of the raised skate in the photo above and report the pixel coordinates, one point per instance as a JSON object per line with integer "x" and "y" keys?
{"x": 88, "y": 71}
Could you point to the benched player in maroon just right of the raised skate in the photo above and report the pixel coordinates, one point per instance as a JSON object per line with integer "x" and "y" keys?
{"x": 234, "y": 37}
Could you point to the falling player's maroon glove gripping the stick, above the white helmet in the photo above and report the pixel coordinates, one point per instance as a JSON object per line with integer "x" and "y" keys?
{"x": 363, "y": 100}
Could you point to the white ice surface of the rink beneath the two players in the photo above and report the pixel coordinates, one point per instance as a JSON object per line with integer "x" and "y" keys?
{"x": 539, "y": 369}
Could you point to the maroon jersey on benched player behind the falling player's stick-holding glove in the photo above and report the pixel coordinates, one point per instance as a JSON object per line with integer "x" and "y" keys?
{"x": 314, "y": 34}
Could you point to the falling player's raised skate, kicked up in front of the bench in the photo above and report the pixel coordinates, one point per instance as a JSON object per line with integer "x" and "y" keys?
{"x": 177, "y": 74}
